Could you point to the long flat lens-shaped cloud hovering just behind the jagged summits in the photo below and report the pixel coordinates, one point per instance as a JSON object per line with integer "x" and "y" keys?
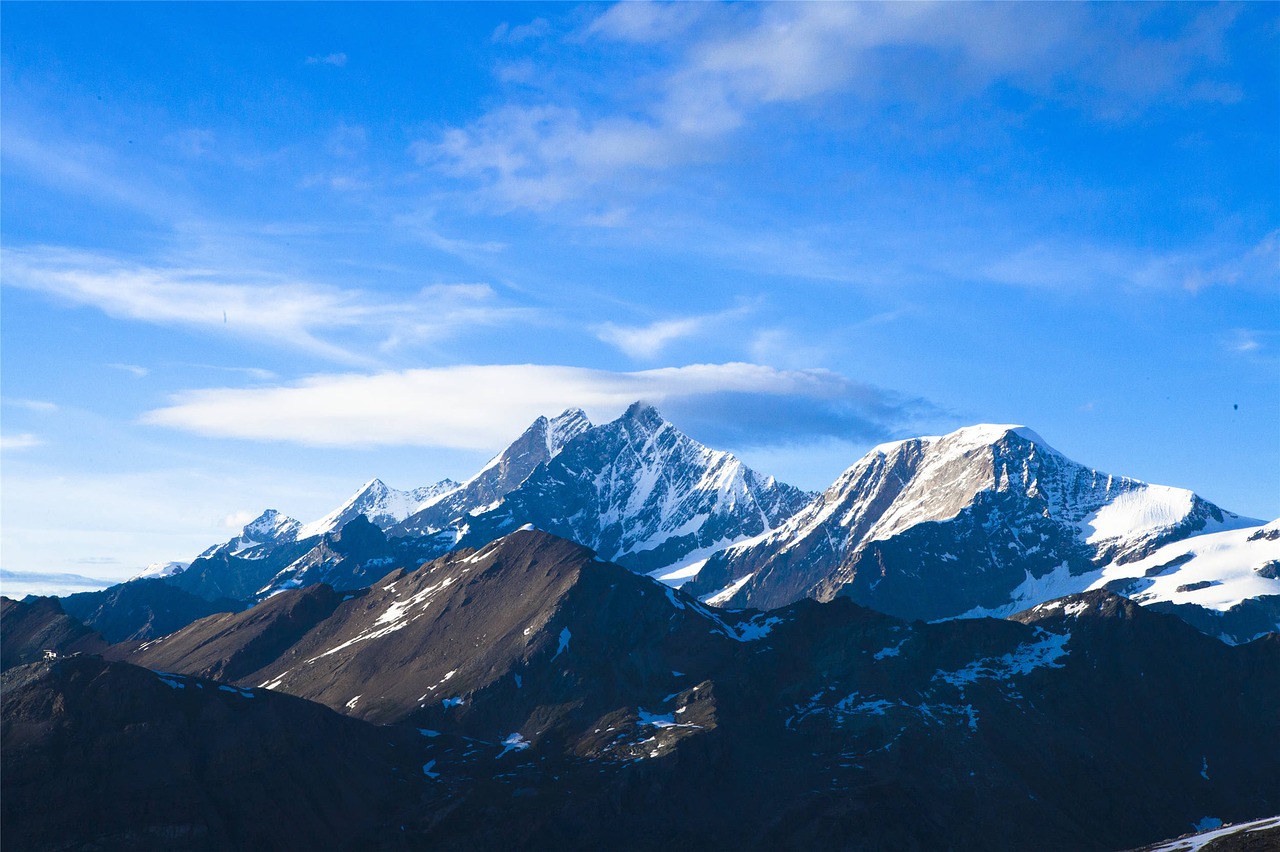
{"x": 482, "y": 407}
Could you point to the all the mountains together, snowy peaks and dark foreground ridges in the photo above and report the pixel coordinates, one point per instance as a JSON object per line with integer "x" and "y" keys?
{"x": 616, "y": 638}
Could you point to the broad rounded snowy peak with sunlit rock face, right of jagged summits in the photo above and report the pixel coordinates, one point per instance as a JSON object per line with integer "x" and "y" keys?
{"x": 938, "y": 528}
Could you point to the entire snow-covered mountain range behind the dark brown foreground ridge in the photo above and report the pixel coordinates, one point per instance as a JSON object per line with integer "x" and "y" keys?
{"x": 985, "y": 521}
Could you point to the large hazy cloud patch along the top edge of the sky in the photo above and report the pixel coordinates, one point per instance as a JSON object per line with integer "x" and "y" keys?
{"x": 537, "y": 155}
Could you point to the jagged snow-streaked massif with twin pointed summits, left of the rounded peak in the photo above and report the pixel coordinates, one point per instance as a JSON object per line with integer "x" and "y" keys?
{"x": 637, "y": 491}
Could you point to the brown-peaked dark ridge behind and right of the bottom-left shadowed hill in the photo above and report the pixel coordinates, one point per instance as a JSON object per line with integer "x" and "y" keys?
{"x": 605, "y": 711}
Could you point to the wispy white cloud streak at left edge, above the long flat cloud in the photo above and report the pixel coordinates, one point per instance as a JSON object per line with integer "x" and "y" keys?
{"x": 298, "y": 315}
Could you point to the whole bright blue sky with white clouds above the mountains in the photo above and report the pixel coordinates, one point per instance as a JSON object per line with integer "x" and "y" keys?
{"x": 255, "y": 255}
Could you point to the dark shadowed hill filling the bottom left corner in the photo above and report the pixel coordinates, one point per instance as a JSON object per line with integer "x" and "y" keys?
{"x": 109, "y": 757}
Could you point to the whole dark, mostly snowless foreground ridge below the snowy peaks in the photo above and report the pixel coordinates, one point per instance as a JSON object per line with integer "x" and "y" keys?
{"x": 528, "y": 695}
